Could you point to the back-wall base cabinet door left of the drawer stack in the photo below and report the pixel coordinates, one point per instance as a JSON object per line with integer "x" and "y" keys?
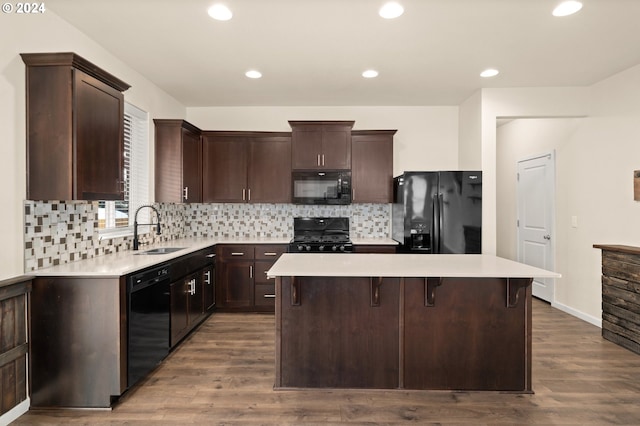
{"x": 236, "y": 283}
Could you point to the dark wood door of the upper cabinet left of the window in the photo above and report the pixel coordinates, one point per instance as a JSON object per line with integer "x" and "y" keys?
{"x": 99, "y": 123}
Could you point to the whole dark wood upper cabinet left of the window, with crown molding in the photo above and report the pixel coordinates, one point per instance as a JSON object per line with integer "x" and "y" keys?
{"x": 75, "y": 129}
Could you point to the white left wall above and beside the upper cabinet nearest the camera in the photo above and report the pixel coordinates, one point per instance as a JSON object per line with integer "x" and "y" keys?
{"x": 47, "y": 33}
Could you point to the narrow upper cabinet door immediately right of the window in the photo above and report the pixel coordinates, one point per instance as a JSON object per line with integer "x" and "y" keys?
{"x": 191, "y": 167}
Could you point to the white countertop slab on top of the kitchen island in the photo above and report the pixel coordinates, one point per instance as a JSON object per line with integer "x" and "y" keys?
{"x": 403, "y": 265}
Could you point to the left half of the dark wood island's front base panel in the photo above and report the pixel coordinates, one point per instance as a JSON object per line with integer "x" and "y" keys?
{"x": 338, "y": 332}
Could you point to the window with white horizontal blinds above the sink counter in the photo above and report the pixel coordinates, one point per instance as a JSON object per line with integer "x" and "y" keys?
{"x": 115, "y": 217}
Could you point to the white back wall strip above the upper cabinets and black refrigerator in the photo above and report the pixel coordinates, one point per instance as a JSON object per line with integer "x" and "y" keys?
{"x": 427, "y": 137}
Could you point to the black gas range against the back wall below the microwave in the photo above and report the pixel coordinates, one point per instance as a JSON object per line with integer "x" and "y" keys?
{"x": 320, "y": 235}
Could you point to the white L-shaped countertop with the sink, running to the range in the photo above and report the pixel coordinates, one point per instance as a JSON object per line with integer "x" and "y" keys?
{"x": 126, "y": 262}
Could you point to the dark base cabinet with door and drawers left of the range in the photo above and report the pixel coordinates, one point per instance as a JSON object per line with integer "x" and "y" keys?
{"x": 242, "y": 283}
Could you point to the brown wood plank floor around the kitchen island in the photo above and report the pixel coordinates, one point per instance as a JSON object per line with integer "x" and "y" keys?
{"x": 224, "y": 374}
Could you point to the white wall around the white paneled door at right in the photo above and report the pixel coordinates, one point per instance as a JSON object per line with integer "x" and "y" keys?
{"x": 595, "y": 160}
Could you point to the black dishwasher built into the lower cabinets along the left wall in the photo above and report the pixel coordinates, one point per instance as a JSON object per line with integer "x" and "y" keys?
{"x": 148, "y": 321}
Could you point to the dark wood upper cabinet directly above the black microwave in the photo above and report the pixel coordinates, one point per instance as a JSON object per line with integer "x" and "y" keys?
{"x": 318, "y": 145}
